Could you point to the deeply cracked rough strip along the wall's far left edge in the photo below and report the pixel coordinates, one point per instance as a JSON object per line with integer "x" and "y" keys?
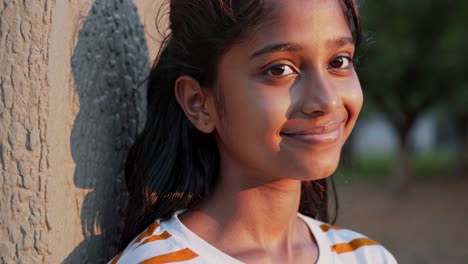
{"x": 24, "y": 32}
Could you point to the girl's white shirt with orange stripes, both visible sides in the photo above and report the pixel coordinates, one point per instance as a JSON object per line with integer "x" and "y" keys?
{"x": 170, "y": 241}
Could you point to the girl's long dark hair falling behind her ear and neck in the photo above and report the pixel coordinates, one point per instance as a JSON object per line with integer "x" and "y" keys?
{"x": 172, "y": 165}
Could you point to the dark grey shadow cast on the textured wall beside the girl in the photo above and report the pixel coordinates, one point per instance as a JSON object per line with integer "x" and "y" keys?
{"x": 108, "y": 63}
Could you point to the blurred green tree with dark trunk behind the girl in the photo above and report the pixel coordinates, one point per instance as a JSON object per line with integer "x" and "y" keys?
{"x": 413, "y": 59}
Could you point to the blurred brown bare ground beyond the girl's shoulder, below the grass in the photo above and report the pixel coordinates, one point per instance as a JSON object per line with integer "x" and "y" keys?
{"x": 427, "y": 224}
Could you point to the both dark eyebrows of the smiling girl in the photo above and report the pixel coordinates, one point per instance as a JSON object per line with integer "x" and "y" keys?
{"x": 294, "y": 47}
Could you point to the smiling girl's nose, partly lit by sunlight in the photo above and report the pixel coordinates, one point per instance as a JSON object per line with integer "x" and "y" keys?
{"x": 319, "y": 96}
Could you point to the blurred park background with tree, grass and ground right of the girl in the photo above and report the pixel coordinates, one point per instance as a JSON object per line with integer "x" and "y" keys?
{"x": 403, "y": 179}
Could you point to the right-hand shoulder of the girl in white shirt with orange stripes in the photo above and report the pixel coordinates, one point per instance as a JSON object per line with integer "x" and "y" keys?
{"x": 346, "y": 246}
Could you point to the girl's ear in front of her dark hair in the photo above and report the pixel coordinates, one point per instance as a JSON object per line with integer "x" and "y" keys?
{"x": 194, "y": 102}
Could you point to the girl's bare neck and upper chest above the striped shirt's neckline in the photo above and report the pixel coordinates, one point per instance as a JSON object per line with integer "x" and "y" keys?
{"x": 250, "y": 214}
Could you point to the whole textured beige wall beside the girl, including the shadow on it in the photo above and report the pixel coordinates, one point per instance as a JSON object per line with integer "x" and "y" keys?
{"x": 70, "y": 107}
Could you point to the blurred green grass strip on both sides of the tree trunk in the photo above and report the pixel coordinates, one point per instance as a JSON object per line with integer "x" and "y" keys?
{"x": 380, "y": 167}
